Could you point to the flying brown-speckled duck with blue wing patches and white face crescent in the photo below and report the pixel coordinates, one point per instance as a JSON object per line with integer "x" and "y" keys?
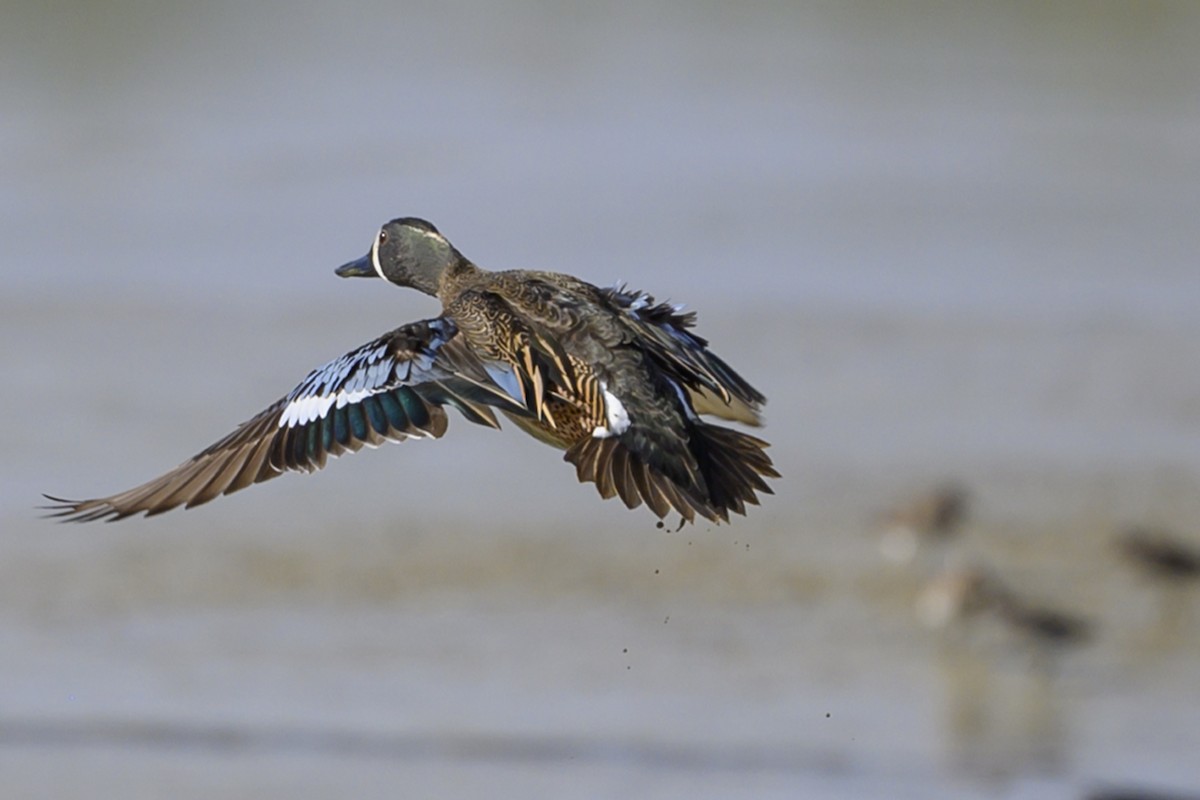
{"x": 610, "y": 376}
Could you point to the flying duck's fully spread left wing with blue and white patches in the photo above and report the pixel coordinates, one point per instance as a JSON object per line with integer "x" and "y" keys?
{"x": 387, "y": 390}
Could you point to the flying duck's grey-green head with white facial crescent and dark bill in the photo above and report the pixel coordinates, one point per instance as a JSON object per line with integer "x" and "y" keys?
{"x": 409, "y": 252}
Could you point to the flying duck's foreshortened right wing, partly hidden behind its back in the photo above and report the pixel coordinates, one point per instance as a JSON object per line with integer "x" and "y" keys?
{"x": 663, "y": 330}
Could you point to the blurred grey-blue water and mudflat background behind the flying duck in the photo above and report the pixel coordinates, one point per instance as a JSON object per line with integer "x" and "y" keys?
{"x": 955, "y": 244}
